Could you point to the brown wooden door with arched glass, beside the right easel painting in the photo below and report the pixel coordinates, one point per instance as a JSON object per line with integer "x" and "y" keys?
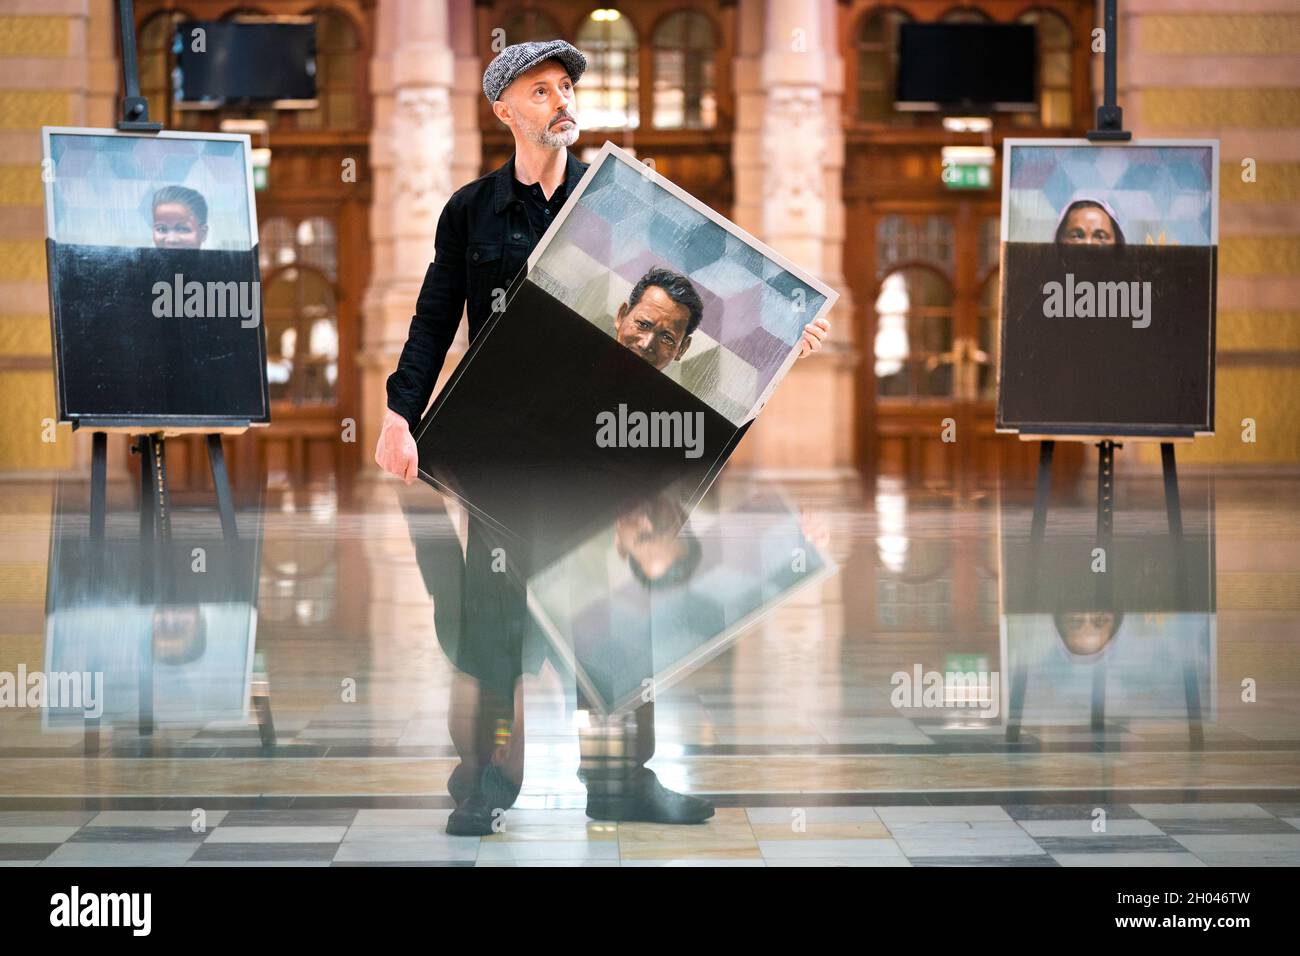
{"x": 928, "y": 291}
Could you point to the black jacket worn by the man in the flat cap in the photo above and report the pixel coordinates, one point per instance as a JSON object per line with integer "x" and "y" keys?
{"x": 483, "y": 243}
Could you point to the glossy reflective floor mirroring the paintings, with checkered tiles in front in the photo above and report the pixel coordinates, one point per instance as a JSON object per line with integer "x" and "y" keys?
{"x": 852, "y": 678}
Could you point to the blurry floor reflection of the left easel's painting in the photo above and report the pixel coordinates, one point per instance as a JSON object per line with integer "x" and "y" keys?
{"x": 172, "y": 647}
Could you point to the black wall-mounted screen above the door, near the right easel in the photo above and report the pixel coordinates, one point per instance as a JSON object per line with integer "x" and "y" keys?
{"x": 981, "y": 67}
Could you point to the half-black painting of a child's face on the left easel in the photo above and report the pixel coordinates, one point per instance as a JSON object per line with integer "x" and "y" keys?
{"x": 155, "y": 288}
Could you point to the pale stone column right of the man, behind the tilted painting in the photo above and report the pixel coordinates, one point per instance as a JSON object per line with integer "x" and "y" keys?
{"x": 788, "y": 157}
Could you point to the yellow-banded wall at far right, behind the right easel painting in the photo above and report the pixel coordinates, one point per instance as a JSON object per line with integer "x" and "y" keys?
{"x": 1247, "y": 101}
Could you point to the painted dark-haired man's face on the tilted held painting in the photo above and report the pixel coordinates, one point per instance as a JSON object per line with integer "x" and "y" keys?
{"x": 658, "y": 318}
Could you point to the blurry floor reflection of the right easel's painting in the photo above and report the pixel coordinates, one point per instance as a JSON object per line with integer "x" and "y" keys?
{"x": 1137, "y": 642}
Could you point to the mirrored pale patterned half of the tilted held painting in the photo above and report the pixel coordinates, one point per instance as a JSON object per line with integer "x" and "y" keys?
{"x": 649, "y": 599}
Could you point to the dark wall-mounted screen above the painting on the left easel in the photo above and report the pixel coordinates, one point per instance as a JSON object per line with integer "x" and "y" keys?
{"x": 246, "y": 62}
